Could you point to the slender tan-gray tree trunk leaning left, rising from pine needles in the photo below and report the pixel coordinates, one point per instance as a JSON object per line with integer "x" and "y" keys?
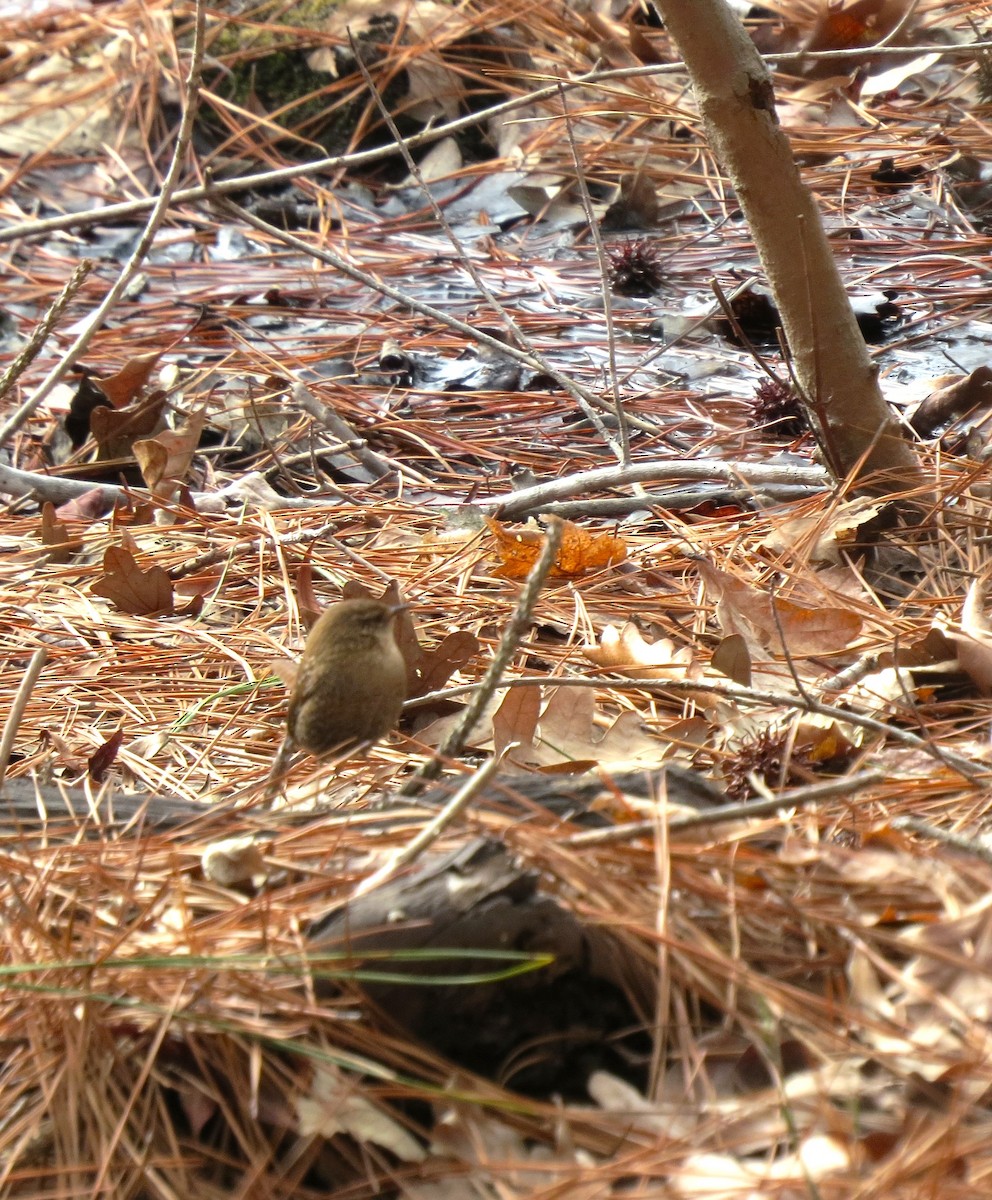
{"x": 857, "y": 433}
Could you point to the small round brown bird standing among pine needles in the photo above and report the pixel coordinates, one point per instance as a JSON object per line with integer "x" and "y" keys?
{"x": 352, "y": 681}
